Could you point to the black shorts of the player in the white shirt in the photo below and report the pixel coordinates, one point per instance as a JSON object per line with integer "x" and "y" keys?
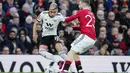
{"x": 48, "y": 40}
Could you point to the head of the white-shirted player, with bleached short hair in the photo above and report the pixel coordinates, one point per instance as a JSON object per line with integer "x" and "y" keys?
{"x": 53, "y": 9}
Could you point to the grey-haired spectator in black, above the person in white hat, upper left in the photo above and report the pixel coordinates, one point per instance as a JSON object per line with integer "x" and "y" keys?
{"x": 24, "y": 13}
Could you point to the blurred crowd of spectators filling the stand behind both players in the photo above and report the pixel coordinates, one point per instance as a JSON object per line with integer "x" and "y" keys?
{"x": 112, "y": 26}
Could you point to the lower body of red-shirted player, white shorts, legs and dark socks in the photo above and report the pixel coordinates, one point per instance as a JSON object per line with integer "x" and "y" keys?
{"x": 78, "y": 46}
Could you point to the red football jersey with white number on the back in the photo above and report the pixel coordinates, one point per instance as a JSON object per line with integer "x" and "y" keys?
{"x": 87, "y": 22}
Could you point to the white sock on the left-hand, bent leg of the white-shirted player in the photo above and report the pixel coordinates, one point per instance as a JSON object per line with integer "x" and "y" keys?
{"x": 47, "y": 55}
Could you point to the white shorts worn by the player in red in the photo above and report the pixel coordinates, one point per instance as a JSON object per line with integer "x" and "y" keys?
{"x": 82, "y": 44}
